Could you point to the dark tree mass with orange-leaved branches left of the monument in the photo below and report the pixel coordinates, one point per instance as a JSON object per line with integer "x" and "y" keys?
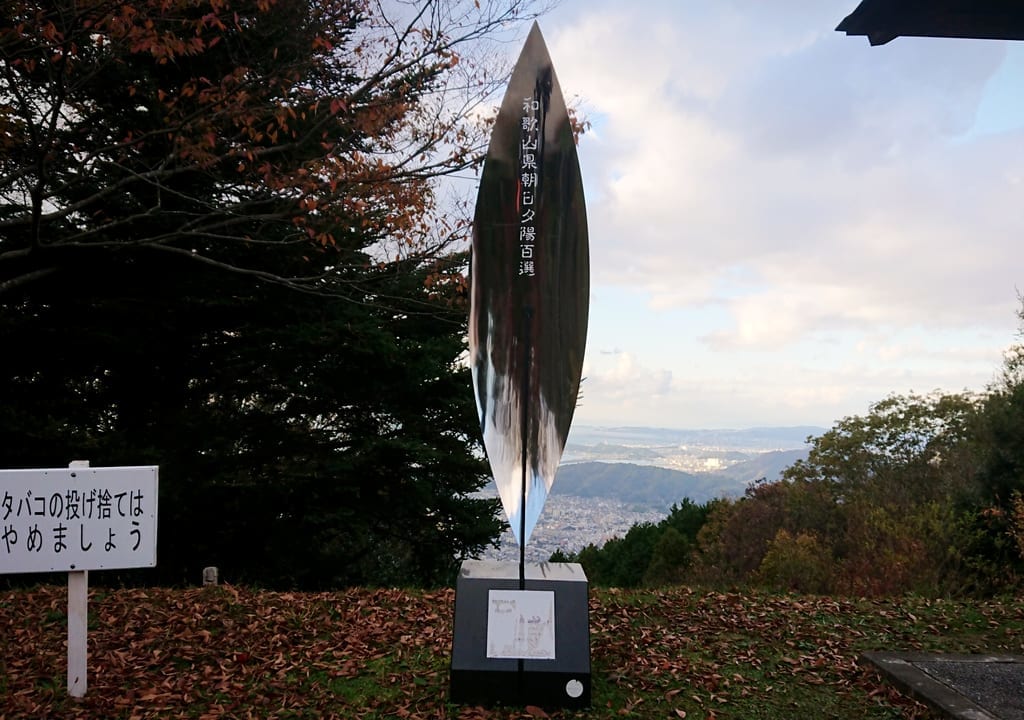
{"x": 223, "y": 251}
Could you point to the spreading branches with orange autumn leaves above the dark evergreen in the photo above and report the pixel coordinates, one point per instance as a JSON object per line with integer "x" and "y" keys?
{"x": 210, "y": 131}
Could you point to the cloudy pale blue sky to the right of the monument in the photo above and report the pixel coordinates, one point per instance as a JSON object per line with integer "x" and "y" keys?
{"x": 788, "y": 225}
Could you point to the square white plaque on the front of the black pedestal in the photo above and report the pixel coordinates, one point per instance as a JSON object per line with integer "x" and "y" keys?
{"x": 522, "y": 624}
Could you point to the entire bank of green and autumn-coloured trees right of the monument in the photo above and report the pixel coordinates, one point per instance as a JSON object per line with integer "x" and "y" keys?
{"x": 924, "y": 494}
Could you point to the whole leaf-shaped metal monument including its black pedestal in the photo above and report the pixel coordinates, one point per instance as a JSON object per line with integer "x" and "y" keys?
{"x": 530, "y": 290}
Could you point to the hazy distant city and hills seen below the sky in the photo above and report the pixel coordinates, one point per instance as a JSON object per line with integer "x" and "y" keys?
{"x": 613, "y": 479}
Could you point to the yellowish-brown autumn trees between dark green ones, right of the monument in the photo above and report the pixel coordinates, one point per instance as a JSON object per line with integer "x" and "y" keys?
{"x": 889, "y": 503}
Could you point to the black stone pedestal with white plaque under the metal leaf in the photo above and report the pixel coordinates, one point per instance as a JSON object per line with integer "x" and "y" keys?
{"x": 522, "y": 648}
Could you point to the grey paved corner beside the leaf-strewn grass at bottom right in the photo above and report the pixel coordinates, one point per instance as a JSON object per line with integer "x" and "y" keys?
{"x": 963, "y": 688}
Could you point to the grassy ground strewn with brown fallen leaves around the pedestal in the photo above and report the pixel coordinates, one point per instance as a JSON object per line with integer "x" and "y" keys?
{"x": 385, "y": 654}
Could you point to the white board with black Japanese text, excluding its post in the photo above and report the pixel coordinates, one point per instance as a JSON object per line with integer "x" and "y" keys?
{"x": 67, "y": 520}
